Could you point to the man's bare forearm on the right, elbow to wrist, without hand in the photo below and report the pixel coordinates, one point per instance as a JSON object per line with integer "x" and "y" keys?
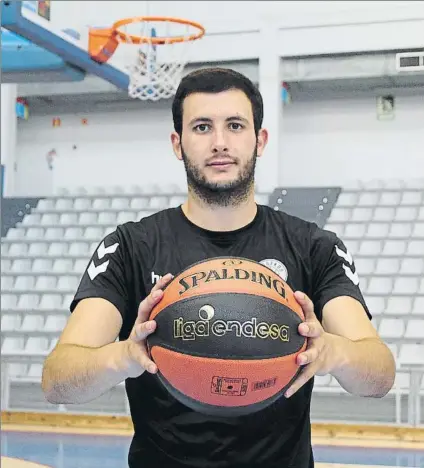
{"x": 364, "y": 367}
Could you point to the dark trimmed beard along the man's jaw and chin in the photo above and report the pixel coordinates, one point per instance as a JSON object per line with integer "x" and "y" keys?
{"x": 230, "y": 193}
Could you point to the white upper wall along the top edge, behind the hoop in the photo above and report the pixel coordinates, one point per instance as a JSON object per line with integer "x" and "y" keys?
{"x": 305, "y": 28}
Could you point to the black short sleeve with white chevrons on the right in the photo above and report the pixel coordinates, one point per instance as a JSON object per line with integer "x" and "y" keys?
{"x": 333, "y": 271}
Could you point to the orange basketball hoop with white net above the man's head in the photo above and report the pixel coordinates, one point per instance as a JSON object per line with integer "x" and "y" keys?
{"x": 161, "y": 48}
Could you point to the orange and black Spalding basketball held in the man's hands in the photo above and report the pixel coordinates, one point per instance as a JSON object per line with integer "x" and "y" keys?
{"x": 226, "y": 339}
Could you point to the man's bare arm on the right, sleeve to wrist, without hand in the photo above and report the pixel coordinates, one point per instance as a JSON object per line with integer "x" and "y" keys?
{"x": 363, "y": 365}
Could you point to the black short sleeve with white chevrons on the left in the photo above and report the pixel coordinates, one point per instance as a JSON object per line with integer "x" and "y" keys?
{"x": 106, "y": 275}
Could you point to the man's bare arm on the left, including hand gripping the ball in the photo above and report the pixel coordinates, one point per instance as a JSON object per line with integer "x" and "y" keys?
{"x": 86, "y": 362}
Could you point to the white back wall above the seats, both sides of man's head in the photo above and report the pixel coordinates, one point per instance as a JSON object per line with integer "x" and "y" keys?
{"x": 322, "y": 143}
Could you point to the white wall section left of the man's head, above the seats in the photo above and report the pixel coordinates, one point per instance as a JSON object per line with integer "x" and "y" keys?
{"x": 115, "y": 148}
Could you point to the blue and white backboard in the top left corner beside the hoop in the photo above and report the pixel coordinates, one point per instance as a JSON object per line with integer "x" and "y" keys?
{"x": 30, "y": 24}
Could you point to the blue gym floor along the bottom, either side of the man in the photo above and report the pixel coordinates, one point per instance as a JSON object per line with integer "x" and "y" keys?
{"x": 60, "y": 450}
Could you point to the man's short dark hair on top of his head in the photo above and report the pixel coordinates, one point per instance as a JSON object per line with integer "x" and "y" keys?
{"x": 216, "y": 80}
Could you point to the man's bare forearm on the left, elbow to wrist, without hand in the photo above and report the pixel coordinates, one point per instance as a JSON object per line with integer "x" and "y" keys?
{"x": 76, "y": 374}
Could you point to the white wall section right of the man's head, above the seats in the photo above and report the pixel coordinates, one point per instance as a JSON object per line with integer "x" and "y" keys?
{"x": 335, "y": 141}
